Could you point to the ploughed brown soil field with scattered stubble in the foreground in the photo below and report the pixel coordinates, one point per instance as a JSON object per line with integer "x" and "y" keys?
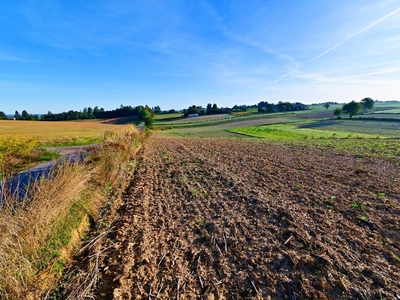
{"x": 233, "y": 219}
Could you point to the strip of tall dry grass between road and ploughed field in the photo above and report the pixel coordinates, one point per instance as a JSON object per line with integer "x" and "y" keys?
{"x": 38, "y": 234}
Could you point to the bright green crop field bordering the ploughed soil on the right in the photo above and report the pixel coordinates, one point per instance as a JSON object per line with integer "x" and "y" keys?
{"x": 369, "y": 138}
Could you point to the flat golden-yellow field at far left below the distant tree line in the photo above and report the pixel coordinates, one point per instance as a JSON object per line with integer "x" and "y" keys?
{"x": 58, "y": 133}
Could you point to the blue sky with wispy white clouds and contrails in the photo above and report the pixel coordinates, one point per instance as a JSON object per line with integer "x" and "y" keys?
{"x": 61, "y": 55}
